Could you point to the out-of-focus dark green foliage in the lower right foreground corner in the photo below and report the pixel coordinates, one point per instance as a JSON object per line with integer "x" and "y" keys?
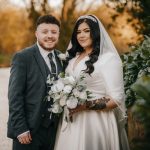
{"x": 141, "y": 110}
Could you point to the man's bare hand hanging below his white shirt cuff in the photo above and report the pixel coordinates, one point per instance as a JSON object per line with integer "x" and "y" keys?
{"x": 25, "y": 138}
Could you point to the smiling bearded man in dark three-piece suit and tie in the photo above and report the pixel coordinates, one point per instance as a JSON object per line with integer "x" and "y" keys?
{"x": 29, "y": 124}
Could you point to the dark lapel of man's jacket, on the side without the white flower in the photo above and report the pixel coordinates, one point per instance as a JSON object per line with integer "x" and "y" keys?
{"x": 40, "y": 61}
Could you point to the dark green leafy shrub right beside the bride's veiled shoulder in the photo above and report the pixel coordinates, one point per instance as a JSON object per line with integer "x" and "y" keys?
{"x": 136, "y": 65}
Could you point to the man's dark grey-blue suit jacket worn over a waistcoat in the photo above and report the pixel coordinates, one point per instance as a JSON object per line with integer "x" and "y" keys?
{"x": 27, "y": 90}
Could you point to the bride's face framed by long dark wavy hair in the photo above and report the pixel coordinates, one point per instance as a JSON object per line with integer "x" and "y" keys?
{"x": 84, "y": 36}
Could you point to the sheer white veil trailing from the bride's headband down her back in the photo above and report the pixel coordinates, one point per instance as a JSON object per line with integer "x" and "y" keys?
{"x": 107, "y": 46}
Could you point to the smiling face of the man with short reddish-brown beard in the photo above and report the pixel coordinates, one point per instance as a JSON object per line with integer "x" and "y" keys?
{"x": 47, "y": 35}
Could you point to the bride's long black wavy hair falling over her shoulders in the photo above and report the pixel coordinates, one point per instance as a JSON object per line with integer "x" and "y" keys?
{"x": 95, "y": 35}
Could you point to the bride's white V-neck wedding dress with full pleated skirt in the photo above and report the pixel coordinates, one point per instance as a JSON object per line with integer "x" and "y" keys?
{"x": 93, "y": 130}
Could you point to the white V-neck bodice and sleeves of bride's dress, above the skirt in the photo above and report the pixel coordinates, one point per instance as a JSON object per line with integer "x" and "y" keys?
{"x": 105, "y": 80}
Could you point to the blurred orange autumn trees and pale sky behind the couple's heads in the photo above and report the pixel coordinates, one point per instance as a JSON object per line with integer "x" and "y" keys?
{"x": 18, "y": 23}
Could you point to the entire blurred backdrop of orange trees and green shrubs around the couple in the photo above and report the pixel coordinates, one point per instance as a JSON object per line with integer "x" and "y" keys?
{"x": 128, "y": 24}
